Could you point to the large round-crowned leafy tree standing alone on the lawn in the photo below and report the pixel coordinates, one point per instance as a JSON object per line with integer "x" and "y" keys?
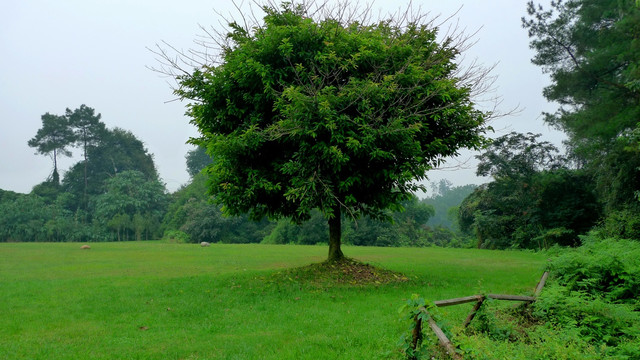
{"x": 312, "y": 109}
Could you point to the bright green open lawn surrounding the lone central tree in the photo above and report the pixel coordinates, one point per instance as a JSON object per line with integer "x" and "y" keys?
{"x": 155, "y": 300}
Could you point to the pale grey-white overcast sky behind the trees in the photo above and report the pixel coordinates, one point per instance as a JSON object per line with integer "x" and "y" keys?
{"x": 58, "y": 54}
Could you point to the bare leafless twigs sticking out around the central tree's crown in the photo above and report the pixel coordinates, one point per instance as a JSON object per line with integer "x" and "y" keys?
{"x": 211, "y": 44}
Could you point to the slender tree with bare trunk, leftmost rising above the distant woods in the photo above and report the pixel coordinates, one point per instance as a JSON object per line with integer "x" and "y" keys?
{"x": 52, "y": 139}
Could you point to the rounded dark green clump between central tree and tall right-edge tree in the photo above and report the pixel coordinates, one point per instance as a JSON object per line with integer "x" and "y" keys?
{"x": 533, "y": 202}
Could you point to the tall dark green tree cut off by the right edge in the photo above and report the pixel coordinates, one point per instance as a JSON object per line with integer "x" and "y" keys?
{"x": 590, "y": 48}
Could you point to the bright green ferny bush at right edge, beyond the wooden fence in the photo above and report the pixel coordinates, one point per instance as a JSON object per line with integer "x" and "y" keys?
{"x": 594, "y": 293}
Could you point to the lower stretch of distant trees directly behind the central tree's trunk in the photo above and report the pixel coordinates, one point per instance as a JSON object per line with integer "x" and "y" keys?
{"x": 193, "y": 217}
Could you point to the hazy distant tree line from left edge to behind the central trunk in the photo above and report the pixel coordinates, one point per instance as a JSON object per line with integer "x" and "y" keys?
{"x": 114, "y": 193}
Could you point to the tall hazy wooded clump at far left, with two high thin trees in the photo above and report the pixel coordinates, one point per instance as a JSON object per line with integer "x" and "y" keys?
{"x": 113, "y": 193}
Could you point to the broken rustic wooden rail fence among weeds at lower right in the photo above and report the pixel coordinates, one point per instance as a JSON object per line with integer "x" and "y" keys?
{"x": 479, "y": 300}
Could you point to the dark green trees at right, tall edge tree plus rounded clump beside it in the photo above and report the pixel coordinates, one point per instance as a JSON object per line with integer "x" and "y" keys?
{"x": 538, "y": 198}
